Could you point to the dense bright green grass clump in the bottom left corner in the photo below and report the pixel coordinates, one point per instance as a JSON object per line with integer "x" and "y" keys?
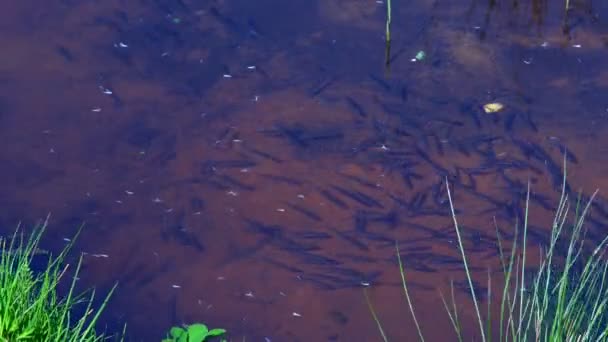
{"x": 30, "y": 306}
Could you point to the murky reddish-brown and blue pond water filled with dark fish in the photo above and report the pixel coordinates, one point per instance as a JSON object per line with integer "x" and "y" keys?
{"x": 251, "y": 164}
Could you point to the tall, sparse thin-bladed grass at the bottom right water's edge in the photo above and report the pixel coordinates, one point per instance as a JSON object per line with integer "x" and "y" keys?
{"x": 564, "y": 300}
